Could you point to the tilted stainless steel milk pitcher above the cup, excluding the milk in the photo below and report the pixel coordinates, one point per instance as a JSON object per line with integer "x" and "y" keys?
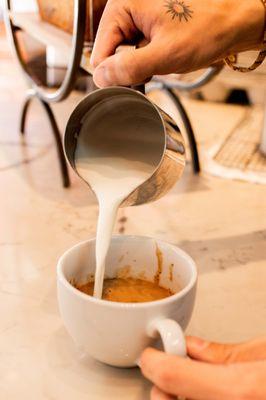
{"x": 119, "y": 109}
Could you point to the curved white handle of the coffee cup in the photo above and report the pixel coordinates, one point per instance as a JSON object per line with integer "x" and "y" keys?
{"x": 171, "y": 334}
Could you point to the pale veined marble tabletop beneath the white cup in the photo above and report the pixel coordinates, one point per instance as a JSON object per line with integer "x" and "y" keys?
{"x": 221, "y": 224}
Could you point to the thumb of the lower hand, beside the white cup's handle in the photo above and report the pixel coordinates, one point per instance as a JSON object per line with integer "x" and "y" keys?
{"x": 226, "y": 353}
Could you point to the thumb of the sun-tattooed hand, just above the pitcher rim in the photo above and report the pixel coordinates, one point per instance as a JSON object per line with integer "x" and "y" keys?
{"x": 127, "y": 67}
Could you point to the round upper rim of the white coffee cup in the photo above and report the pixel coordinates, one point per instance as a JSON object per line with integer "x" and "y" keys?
{"x": 133, "y": 306}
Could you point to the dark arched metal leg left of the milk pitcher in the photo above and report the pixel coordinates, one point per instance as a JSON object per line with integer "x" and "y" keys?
{"x": 55, "y": 131}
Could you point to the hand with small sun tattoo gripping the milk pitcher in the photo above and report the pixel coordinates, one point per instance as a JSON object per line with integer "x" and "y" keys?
{"x": 172, "y": 35}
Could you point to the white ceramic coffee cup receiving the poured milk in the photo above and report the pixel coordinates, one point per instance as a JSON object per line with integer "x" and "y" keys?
{"x": 117, "y": 333}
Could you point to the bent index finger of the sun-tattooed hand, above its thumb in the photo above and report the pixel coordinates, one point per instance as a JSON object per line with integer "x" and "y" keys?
{"x": 114, "y": 28}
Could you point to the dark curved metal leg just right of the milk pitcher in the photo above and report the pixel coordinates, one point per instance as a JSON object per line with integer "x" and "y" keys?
{"x": 188, "y": 128}
